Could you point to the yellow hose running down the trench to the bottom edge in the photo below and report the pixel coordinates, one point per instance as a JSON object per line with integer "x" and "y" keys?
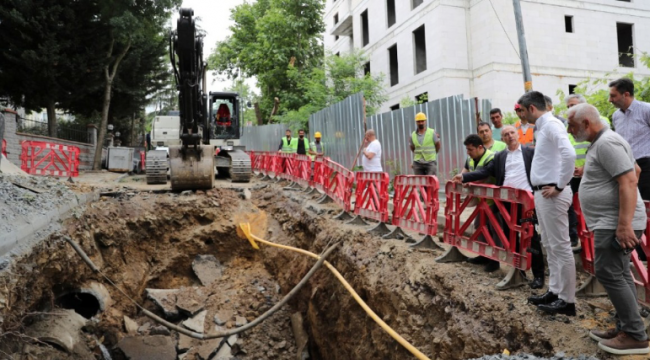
{"x": 252, "y": 239}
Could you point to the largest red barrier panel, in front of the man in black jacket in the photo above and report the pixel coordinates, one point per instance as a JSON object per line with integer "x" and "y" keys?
{"x": 506, "y": 253}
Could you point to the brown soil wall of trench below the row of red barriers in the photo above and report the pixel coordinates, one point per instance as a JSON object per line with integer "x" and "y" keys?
{"x": 447, "y": 311}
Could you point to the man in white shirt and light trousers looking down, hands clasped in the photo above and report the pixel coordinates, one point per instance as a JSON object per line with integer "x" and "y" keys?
{"x": 551, "y": 172}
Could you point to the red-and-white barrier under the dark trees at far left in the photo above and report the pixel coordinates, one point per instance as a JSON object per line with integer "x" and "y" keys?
{"x": 41, "y": 158}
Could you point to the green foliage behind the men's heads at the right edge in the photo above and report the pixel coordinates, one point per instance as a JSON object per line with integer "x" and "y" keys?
{"x": 596, "y": 91}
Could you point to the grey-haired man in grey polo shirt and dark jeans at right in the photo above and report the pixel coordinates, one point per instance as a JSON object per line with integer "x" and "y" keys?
{"x": 615, "y": 213}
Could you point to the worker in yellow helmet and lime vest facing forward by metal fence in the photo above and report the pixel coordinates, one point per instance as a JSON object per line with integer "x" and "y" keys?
{"x": 425, "y": 145}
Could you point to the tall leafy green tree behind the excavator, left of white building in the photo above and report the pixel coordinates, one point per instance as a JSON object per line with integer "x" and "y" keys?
{"x": 268, "y": 37}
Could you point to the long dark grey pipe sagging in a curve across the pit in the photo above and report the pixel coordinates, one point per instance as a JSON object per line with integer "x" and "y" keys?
{"x": 223, "y": 334}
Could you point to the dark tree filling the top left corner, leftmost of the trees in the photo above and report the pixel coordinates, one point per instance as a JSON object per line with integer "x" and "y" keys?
{"x": 48, "y": 46}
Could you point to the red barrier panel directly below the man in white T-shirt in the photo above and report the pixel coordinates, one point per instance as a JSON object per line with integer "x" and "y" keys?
{"x": 372, "y": 195}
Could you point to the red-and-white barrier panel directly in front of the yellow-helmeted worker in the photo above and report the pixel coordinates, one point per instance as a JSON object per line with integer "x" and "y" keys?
{"x": 415, "y": 204}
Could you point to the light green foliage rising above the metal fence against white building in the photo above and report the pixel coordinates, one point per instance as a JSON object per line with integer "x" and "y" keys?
{"x": 338, "y": 78}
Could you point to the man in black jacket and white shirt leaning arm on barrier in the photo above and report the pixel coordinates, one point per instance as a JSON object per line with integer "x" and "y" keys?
{"x": 511, "y": 167}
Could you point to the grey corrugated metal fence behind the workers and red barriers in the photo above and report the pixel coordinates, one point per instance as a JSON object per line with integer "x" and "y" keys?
{"x": 342, "y": 128}
